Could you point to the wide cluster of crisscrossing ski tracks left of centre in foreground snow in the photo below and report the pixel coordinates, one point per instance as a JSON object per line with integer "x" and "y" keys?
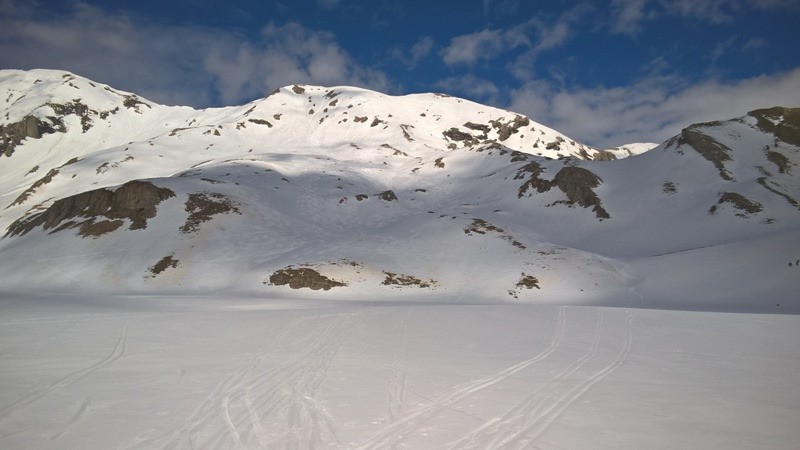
{"x": 256, "y": 407}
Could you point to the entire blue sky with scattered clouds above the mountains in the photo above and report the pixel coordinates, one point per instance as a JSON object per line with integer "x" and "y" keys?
{"x": 604, "y": 72}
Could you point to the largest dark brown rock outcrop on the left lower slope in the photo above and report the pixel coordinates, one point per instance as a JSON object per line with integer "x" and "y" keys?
{"x": 134, "y": 200}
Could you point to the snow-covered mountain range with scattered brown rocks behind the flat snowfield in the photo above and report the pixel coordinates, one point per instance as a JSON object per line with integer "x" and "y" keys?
{"x": 359, "y": 195}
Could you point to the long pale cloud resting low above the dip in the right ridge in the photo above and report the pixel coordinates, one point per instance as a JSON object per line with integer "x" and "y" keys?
{"x": 652, "y": 110}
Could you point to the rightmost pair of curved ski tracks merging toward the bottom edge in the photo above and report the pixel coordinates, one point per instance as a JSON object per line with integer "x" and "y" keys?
{"x": 520, "y": 426}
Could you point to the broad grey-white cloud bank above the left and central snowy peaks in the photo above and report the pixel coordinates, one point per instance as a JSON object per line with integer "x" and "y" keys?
{"x": 176, "y": 64}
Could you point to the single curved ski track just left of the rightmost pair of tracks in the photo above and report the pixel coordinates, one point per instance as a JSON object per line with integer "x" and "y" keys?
{"x": 395, "y": 432}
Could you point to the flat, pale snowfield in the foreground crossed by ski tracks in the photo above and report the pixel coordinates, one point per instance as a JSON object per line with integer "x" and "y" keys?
{"x": 147, "y": 372}
